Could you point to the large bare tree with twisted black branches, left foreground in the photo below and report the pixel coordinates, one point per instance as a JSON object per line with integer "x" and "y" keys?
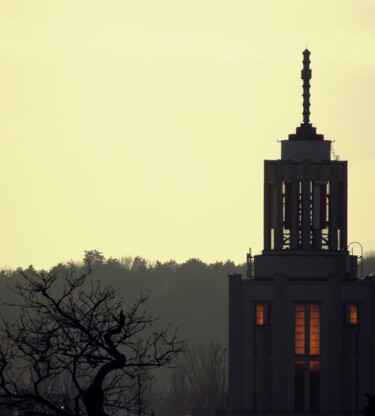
{"x": 76, "y": 348}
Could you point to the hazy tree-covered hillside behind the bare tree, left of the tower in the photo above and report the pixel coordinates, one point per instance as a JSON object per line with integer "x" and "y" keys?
{"x": 192, "y": 295}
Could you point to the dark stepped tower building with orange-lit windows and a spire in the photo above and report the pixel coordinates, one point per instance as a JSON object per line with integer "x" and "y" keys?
{"x": 302, "y": 325}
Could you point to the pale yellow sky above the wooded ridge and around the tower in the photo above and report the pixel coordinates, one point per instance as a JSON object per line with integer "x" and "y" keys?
{"x": 139, "y": 127}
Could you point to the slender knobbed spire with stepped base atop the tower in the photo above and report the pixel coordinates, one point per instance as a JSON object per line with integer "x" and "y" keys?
{"x": 306, "y": 131}
